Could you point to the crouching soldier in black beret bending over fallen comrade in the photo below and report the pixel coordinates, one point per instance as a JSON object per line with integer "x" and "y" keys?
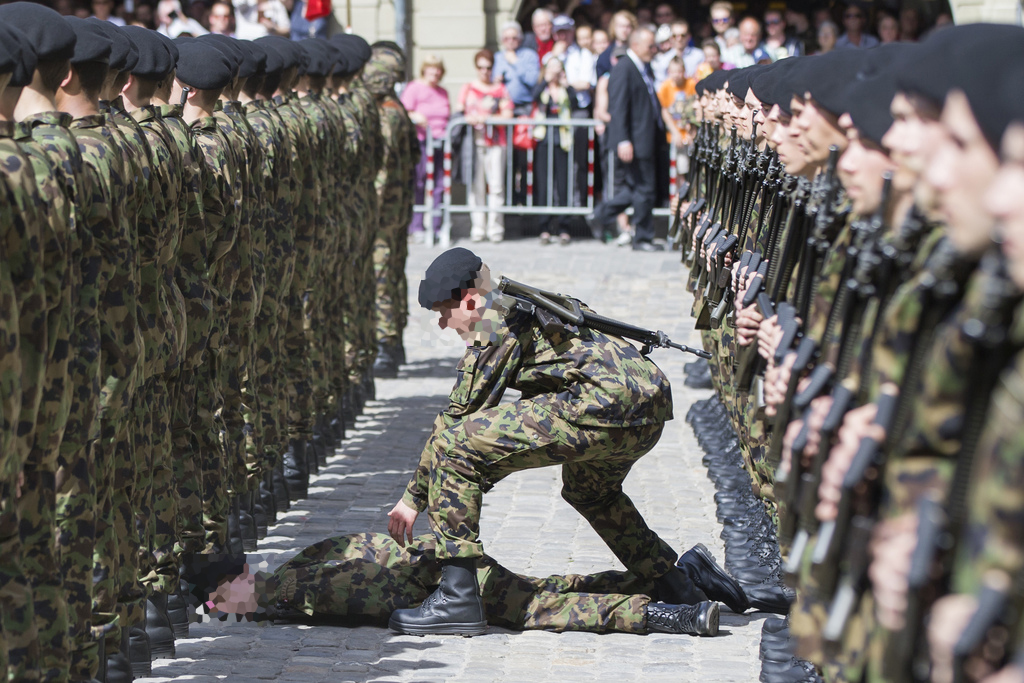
{"x": 595, "y": 421}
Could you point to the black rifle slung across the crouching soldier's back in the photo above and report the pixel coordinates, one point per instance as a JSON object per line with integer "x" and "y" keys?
{"x": 557, "y": 311}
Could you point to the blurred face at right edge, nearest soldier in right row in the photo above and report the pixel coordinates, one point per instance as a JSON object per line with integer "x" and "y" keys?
{"x": 1005, "y": 201}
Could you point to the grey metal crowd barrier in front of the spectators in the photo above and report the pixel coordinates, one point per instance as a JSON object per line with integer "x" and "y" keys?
{"x": 449, "y": 209}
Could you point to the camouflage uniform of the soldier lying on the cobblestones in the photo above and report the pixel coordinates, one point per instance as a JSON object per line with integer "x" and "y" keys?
{"x": 370, "y": 576}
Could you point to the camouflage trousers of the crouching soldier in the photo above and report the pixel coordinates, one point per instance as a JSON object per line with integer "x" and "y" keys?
{"x": 472, "y": 457}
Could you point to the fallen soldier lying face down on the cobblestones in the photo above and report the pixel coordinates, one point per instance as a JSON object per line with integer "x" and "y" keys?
{"x": 369, "y": 576}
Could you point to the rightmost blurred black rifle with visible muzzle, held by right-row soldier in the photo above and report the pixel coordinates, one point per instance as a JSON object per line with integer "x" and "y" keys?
{"x": 940, "y": 532}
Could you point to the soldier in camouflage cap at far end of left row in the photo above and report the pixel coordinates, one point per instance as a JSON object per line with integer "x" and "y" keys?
{"x": 395, "y": 188}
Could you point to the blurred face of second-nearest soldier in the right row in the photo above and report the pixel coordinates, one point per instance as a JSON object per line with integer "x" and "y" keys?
{"x": 960, "y": 175}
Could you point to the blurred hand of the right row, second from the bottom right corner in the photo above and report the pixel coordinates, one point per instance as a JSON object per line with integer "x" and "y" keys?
{"x": 893, "y": 543}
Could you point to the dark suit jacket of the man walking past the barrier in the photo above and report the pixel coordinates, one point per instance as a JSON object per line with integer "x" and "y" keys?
{"x": 635, "y": 113}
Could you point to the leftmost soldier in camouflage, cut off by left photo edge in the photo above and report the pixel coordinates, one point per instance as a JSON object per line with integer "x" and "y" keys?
{"x": 31, "y": 282}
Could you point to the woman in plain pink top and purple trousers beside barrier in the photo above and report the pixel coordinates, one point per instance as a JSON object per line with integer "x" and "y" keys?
{"x": 428, "y": 104}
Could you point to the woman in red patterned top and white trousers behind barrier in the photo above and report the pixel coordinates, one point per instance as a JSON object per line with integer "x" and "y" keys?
{"x": 480, "y": 101}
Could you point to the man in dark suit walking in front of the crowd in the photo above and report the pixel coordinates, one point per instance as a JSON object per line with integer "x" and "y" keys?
{"x": 636, "y": 133}
